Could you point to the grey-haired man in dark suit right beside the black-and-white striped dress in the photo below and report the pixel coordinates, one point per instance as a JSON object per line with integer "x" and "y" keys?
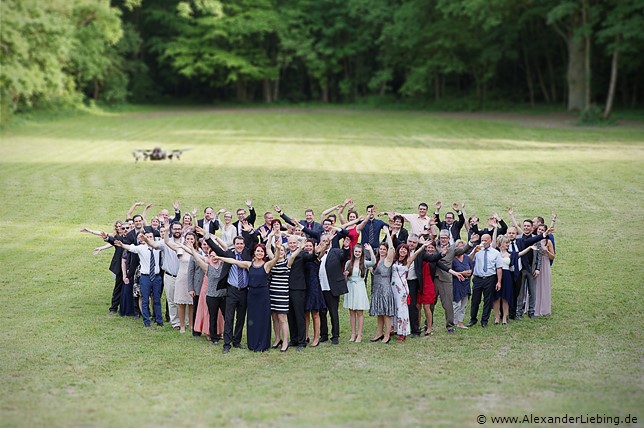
{"x": 297, "y": 294}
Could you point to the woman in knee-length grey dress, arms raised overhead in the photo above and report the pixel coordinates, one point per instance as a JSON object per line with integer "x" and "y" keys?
{"x": 383, "y": 304}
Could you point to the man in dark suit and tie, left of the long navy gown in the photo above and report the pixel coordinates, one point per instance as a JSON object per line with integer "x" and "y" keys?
{"x": 236, "y": 279}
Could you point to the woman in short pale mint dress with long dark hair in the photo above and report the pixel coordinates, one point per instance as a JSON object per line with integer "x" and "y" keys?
{"x": 356, "y": 300}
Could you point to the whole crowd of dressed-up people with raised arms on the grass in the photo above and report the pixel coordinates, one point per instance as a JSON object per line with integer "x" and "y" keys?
{"x": 219, "y": 275}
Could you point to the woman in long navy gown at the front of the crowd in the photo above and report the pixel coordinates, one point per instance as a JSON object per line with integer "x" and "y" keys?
{"x": 258, "y": 332}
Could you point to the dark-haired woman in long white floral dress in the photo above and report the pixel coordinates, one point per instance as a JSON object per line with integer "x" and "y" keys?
{"x": 403, "y": 260}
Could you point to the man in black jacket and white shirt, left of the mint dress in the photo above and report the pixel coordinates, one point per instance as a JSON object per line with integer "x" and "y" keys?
{"x": 333, "y": 284}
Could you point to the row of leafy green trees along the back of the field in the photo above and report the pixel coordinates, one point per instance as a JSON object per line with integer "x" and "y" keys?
{"x": 575, "y": 53}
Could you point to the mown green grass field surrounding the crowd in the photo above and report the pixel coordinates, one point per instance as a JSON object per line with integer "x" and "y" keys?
{"x": 65, "y": 362}
